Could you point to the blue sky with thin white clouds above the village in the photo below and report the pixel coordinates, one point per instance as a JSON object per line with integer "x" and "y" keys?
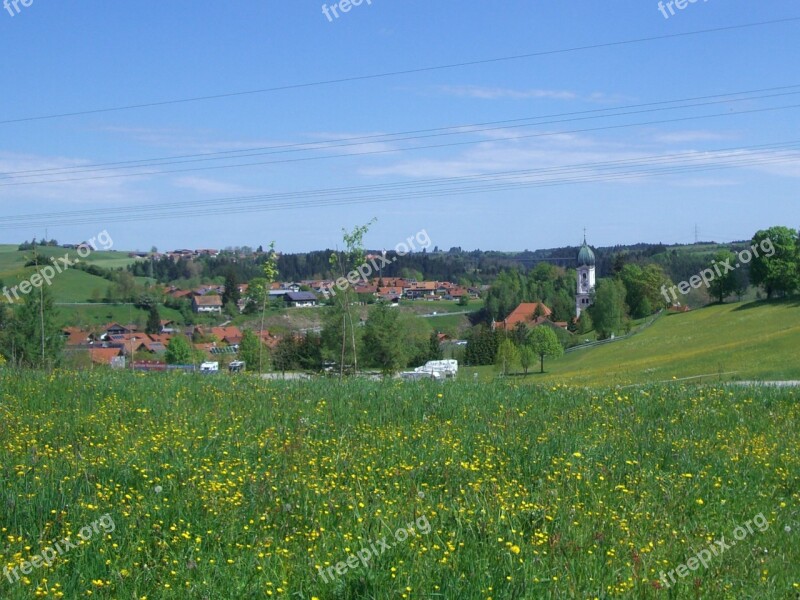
{"x": 659, "y": 179}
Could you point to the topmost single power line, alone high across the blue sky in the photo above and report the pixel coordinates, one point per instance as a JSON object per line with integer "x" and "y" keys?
{"x": 401, "y": 72}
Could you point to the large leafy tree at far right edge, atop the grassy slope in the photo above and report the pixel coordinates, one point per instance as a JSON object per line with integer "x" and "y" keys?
{"x": 774, "y": 265}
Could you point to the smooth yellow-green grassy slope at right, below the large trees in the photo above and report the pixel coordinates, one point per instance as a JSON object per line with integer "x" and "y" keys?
{"x": 756, "y": 340}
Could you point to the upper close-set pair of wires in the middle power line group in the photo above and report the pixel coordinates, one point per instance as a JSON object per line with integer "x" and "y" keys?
{"x": 393, "y": 137}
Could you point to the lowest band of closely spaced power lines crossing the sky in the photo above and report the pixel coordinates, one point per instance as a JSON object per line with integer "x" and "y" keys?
{"x": 573, "y": 174}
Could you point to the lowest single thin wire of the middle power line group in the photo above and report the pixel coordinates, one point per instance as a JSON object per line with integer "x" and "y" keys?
{"x": 395, "y": 150}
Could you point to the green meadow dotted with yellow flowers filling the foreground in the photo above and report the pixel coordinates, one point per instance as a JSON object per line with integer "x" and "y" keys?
{"x": 232, "y": 487}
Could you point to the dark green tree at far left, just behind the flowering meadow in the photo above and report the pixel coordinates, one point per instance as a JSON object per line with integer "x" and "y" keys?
{"x": 33, "y": 335}
